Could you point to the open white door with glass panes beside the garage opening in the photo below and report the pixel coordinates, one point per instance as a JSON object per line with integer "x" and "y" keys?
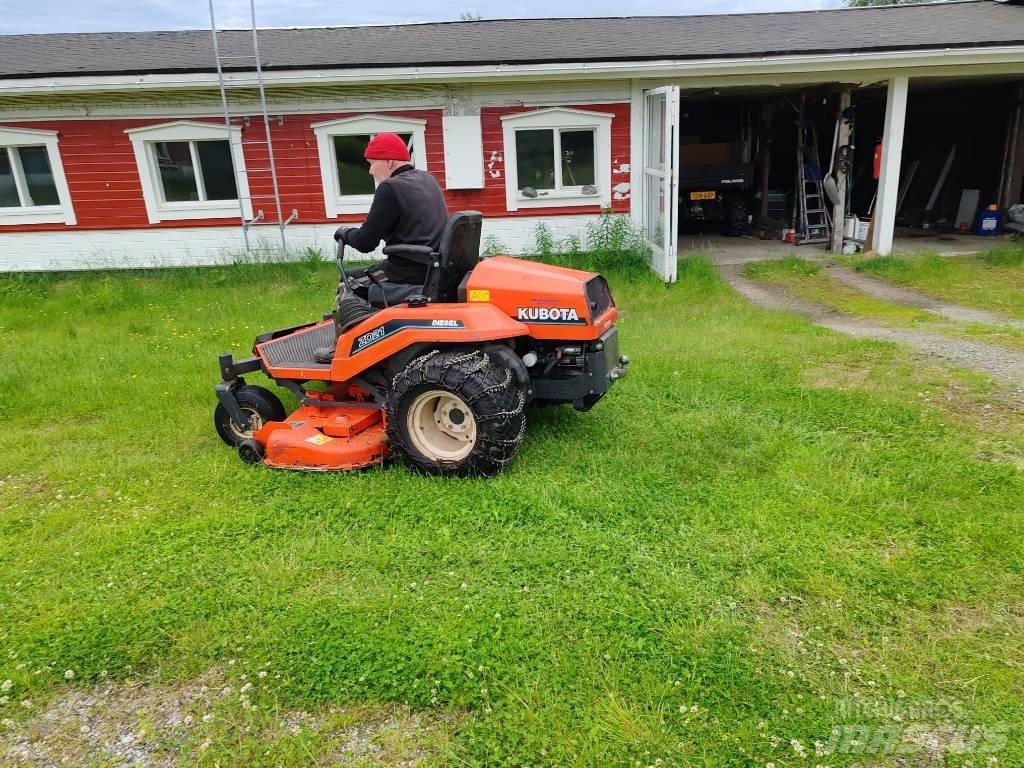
{"x": 661, "y": 178}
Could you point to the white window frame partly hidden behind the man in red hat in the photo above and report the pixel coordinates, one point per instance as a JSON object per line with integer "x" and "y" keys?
{"x": 335, "y": 204}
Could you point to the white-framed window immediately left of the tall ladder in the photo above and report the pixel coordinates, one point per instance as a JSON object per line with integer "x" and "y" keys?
{"x": 144, "y": 141}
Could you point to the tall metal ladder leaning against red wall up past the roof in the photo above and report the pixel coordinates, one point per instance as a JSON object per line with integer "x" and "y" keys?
{"x": 267, "y": 207}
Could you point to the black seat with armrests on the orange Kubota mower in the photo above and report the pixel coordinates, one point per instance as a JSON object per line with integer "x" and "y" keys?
{"x": 458, "y": 254}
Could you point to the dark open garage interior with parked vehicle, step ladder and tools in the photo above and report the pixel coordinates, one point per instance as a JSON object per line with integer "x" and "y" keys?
{"x": 963, "y": 154}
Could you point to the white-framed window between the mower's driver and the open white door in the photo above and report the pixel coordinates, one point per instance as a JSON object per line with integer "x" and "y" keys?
{"x": 559, "y": 119}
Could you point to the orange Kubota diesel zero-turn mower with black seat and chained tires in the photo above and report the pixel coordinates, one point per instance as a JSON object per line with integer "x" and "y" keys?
{"x": 439, "y": 374}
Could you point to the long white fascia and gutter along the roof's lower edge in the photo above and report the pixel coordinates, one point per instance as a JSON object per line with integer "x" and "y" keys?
{"x": 857, "y": 64}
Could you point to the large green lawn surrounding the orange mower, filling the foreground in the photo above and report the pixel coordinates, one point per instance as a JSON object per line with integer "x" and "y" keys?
{"x": 767, "y": 536}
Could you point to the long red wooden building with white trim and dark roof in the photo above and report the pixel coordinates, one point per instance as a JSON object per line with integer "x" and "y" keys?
{"x": 114, "y": 150}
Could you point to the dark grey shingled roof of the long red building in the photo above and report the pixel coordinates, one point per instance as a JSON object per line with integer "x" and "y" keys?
{"x": 936, "y": 26}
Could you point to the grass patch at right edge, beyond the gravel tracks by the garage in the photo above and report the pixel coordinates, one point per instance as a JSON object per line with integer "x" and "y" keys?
{"x": 992, "y": 281}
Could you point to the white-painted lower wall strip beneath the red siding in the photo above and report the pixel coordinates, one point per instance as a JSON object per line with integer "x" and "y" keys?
{"x": 120, "y": 249}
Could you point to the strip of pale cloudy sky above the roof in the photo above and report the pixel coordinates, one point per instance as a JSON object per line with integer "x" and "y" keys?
{"x": 117, "y": 16}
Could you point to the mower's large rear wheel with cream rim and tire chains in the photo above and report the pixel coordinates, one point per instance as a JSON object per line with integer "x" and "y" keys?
{"x": 456, "y": 413}
